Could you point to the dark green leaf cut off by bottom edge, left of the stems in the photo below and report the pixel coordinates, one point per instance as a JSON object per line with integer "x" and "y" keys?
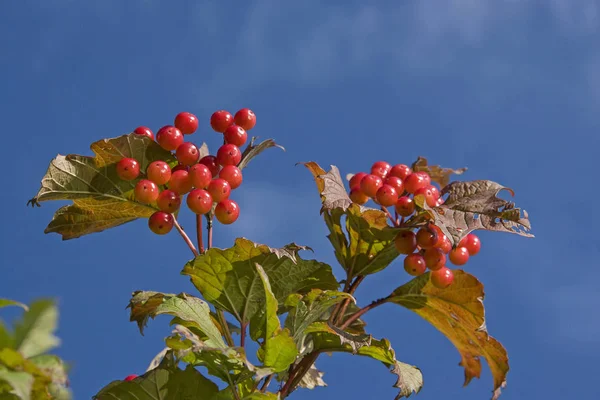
{"x": 166, "y": 382}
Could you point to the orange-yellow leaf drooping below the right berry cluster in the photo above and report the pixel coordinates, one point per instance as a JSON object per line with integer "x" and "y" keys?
{"x": 458, "y": 313}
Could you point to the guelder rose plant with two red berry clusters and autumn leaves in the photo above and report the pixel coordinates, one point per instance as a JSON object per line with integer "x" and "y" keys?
{"x": 294, "y": 308}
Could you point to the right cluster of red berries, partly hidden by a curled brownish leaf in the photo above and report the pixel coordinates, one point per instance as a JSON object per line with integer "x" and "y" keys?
{"x": 427, "y": 248}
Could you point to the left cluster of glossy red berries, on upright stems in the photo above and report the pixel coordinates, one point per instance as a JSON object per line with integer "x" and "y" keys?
{"x": 207, "y": 181}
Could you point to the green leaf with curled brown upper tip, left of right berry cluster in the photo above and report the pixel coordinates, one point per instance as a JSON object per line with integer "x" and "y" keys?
{"x": 368, "y": 246}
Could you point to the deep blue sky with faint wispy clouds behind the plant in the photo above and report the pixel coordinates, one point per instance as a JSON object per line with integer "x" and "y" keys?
{"x": 510, "y": 89}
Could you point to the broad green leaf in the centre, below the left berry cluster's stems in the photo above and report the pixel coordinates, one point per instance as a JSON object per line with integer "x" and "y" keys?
{"x": 228, "y": 279}
